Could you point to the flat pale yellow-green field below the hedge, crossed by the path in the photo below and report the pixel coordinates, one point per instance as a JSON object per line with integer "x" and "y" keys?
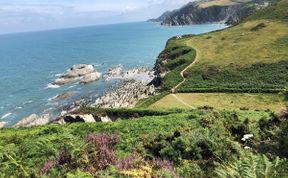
{"x": 272, "y": 102}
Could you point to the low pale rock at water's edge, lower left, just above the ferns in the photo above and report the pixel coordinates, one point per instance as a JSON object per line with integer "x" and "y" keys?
{"x": 34, "y": 120}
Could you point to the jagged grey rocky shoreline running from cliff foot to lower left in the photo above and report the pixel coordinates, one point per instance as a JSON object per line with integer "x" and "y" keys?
{"x": 128, "y": 88}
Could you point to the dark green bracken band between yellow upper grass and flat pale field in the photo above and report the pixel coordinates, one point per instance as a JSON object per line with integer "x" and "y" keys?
{"x": 258, "y": 78}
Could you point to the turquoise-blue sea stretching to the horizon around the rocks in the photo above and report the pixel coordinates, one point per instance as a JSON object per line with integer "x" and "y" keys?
{"x": 30, "y": 61}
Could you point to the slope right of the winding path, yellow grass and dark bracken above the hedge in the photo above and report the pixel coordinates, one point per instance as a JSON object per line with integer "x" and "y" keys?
{"x": 228, "y": 59}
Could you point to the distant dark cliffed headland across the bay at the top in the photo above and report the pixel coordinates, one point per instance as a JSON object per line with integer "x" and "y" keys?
{"x": 211, "y": 11}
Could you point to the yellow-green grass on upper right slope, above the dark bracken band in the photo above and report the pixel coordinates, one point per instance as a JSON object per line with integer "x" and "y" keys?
{"x": 240, "y": 46}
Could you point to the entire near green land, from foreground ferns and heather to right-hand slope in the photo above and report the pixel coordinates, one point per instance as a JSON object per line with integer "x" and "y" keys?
{"x": 228, "y": 91}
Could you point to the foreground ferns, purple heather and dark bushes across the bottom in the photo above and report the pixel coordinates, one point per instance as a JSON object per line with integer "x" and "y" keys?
{"x": 198, "y": 143}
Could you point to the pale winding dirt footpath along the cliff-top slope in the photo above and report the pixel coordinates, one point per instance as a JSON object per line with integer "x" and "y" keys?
{"x": 174, "y": 89}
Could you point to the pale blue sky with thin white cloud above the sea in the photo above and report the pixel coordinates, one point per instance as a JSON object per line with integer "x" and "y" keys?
{"x": 33, "y": 15}
